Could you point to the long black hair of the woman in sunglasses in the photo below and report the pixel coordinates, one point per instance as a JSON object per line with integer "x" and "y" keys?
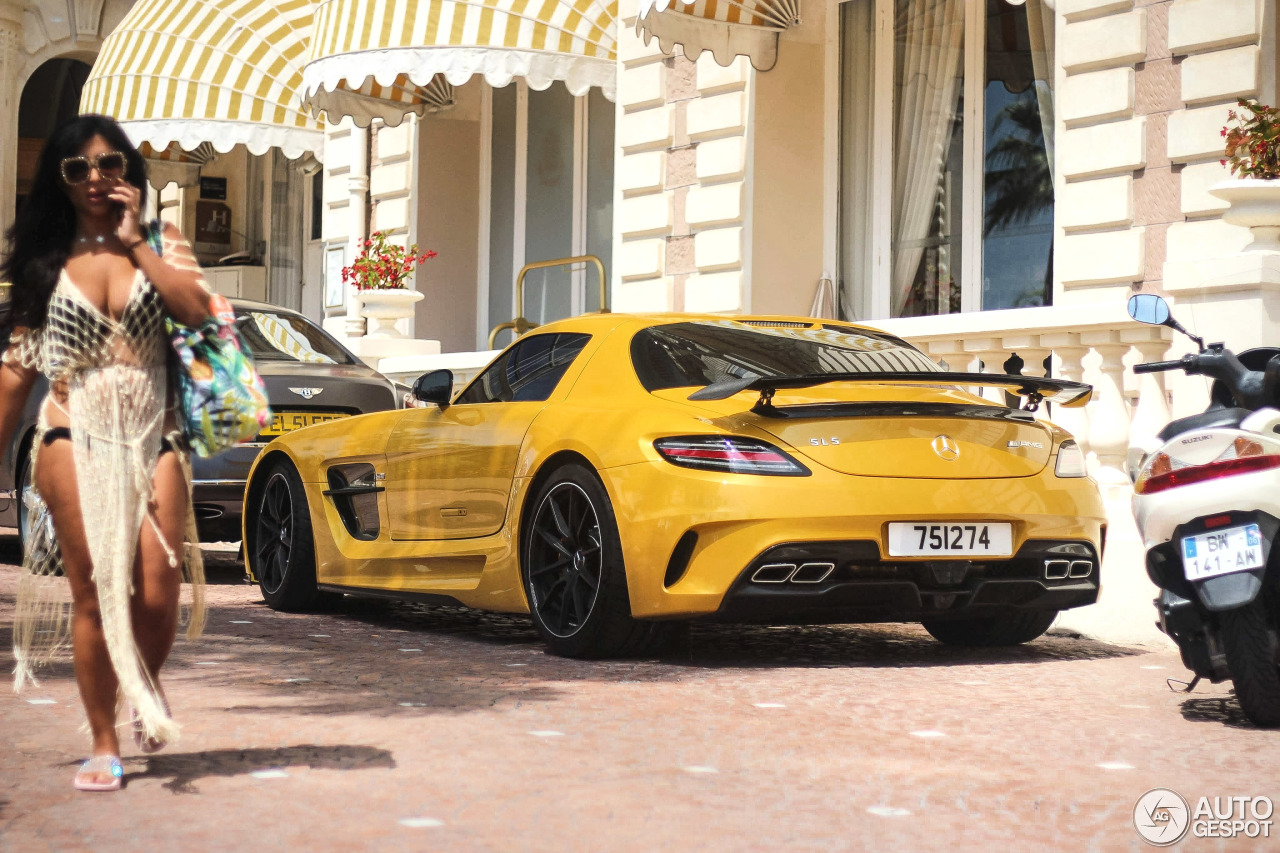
{"x": 42, "y": 236}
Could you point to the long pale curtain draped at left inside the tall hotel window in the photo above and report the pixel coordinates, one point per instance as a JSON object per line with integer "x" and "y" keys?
{"x": 930, "y": 37}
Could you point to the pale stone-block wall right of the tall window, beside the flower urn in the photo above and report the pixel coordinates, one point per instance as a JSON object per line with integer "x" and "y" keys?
{"x": 1144, "y": 94}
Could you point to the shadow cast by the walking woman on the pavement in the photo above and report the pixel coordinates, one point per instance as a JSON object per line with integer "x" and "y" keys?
{"x": 182, "y": 770}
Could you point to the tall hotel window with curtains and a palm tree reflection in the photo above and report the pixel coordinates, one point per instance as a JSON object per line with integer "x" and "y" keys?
{"x": 947, "y": 153}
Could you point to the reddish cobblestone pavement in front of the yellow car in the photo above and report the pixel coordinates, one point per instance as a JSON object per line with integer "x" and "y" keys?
{"x": 396, "y": 727}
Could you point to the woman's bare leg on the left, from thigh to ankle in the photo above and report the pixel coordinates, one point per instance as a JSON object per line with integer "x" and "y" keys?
{"x": 56, "y": 481}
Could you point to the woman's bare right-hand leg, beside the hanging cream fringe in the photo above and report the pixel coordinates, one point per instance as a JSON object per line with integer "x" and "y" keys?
{"x": 157, "y": 585}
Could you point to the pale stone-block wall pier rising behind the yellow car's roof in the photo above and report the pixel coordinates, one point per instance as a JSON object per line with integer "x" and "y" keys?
{"x": 682, "y": 223}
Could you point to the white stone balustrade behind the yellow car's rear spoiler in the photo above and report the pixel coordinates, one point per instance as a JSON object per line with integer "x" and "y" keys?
{"x": 1096, "y": 345}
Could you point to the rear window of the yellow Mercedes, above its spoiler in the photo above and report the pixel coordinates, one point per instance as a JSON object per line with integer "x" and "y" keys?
{"x": 705, "y": 353}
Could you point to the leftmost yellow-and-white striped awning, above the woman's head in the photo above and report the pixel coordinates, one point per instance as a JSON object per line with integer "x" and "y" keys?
{"x": 223, "y": 72}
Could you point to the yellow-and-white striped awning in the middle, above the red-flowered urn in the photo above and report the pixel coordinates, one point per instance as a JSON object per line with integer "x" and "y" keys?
{"x": 387, "y": 58}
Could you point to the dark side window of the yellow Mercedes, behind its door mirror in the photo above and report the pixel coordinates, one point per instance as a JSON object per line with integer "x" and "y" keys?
{"x": 528, "y": 372}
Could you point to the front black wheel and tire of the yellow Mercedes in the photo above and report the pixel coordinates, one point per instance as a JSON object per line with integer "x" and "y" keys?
{"x": 282, "y": 555}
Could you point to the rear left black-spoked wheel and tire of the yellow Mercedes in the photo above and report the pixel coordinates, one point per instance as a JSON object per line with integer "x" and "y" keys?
{"x": 575, "y": 580}
